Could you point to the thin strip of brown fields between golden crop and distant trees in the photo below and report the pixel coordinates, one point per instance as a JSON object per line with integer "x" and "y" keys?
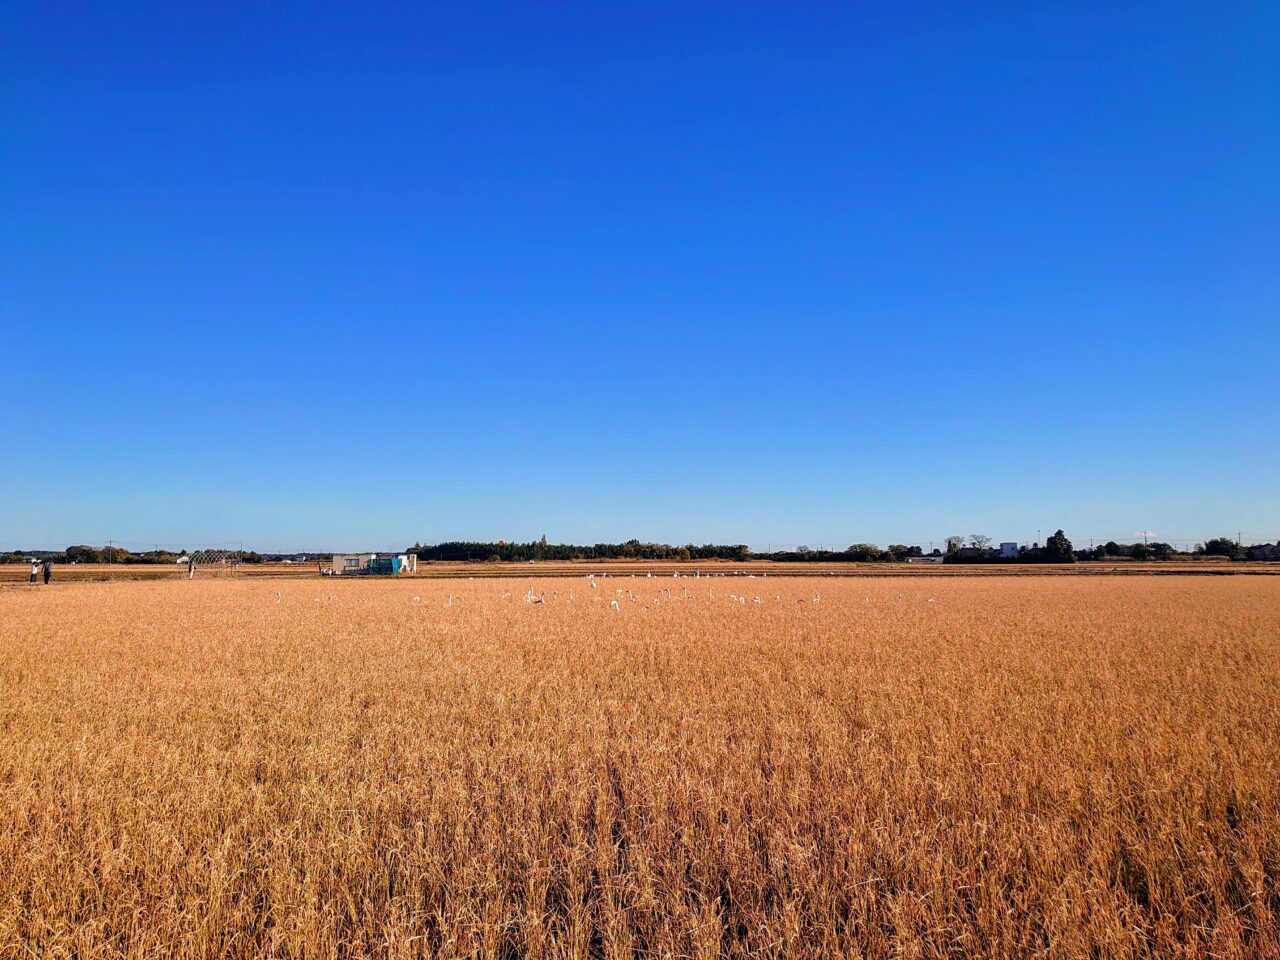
{"x": 80, "y": 573}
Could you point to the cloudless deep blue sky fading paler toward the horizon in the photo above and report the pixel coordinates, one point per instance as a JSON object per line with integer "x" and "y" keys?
{"x": 316, "y": 275}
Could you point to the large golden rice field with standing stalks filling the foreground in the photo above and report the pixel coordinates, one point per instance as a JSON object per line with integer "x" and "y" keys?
{"x": 952, "y": 767}
